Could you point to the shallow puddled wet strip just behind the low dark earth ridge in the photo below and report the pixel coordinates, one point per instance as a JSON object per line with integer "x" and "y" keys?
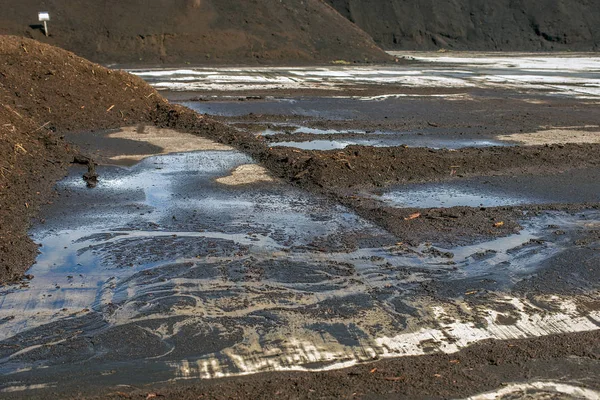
{"x": 327, "y": 123}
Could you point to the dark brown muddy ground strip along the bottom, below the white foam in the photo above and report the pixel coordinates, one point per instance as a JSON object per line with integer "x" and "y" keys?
{"x": 481, "y": 368}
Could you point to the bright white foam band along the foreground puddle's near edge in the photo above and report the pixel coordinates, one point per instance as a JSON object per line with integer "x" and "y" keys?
{"x": 300, "y": 354}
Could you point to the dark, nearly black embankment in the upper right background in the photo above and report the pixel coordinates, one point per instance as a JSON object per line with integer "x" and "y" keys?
{"x": 522, "y": 25}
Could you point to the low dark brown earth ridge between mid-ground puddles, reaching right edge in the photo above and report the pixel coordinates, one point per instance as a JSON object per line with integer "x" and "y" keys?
{"x": 361, "y": 166}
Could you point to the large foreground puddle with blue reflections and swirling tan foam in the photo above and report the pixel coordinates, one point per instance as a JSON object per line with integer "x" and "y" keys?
{"x": 163, "y": 273}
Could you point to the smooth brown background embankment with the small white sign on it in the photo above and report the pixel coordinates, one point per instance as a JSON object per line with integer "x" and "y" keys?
{"x": 194, "y": 31}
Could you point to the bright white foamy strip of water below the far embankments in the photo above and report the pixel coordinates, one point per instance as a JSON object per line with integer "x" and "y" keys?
{"x": 516, "y": 72}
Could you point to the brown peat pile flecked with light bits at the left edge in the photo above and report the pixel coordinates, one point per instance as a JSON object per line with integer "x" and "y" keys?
{"x": 45, "y": 91}
